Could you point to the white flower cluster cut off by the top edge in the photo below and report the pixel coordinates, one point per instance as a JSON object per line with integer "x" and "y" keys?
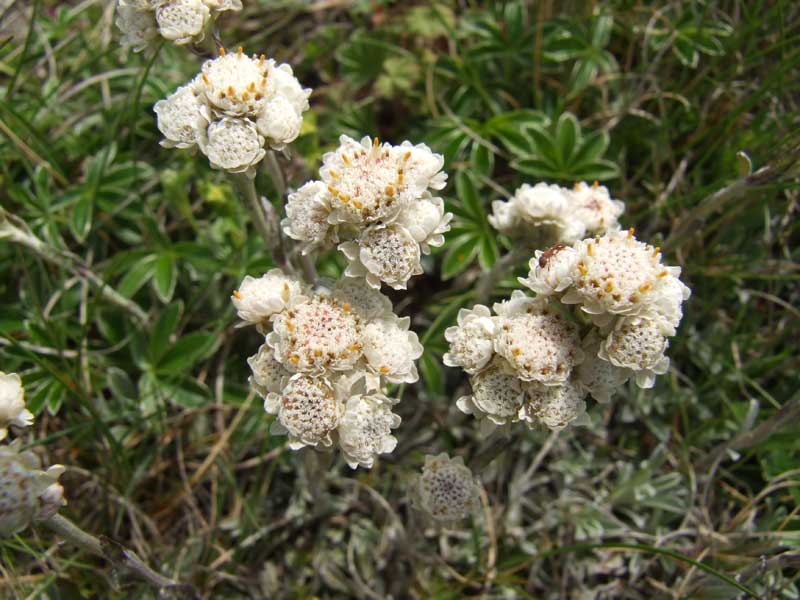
{"x": 180, "y": 21}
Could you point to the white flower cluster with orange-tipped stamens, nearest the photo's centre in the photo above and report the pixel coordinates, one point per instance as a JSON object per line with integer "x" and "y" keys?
{"x": 376, "y": 200}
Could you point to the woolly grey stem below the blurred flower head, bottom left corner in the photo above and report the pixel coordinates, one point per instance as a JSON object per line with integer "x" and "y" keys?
{"x": 117, "y": 555}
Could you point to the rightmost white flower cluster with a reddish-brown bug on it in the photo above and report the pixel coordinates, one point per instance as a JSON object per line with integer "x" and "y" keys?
{"x": 632, "y": 298}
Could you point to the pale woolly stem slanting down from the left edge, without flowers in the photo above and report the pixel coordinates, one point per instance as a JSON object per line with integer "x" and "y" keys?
{"x": 15, "y": 230}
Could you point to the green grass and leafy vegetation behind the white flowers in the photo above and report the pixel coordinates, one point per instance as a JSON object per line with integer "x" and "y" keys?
{"x": 687, "y": 490}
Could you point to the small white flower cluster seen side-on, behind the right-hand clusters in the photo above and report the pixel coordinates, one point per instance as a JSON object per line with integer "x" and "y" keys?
{"x": 557, "y": 214}
